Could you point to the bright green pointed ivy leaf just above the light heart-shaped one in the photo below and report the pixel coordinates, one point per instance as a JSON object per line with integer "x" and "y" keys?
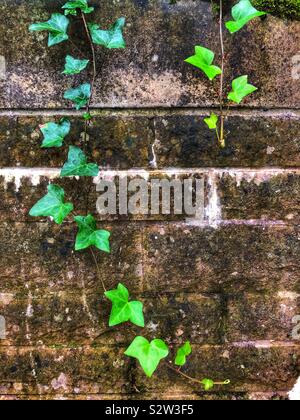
{"x": 122, "y": 309}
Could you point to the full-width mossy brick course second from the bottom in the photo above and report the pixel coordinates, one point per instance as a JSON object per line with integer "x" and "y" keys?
{"x": 76, "y": 319}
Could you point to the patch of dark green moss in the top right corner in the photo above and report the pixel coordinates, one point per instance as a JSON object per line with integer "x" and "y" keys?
{"x": 281, "y": 8}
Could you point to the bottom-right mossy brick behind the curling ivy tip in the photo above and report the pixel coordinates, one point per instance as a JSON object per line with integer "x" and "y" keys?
{"x": 250, "y": 369}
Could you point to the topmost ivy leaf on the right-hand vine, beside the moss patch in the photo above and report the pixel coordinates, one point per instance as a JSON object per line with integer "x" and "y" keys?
{"x": 242, "y": 13}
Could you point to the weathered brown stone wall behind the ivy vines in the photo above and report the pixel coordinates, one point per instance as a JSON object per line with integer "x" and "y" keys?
{"x": 230, "y": 285}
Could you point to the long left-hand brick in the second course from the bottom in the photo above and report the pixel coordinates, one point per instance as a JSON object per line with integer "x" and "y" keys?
{"x": 70, "y": 319}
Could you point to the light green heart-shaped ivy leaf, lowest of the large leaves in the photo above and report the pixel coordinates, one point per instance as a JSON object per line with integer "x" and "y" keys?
{"x": 148, "y": 354}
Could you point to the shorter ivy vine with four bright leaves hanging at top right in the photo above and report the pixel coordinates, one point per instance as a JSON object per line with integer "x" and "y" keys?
{"x": 242, "y": 13}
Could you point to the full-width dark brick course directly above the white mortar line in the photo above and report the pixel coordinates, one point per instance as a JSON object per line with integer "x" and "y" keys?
{"x": 122, "y": 141}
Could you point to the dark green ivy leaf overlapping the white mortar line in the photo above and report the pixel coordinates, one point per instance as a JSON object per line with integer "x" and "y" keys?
{"x": 77, "y": 164}
